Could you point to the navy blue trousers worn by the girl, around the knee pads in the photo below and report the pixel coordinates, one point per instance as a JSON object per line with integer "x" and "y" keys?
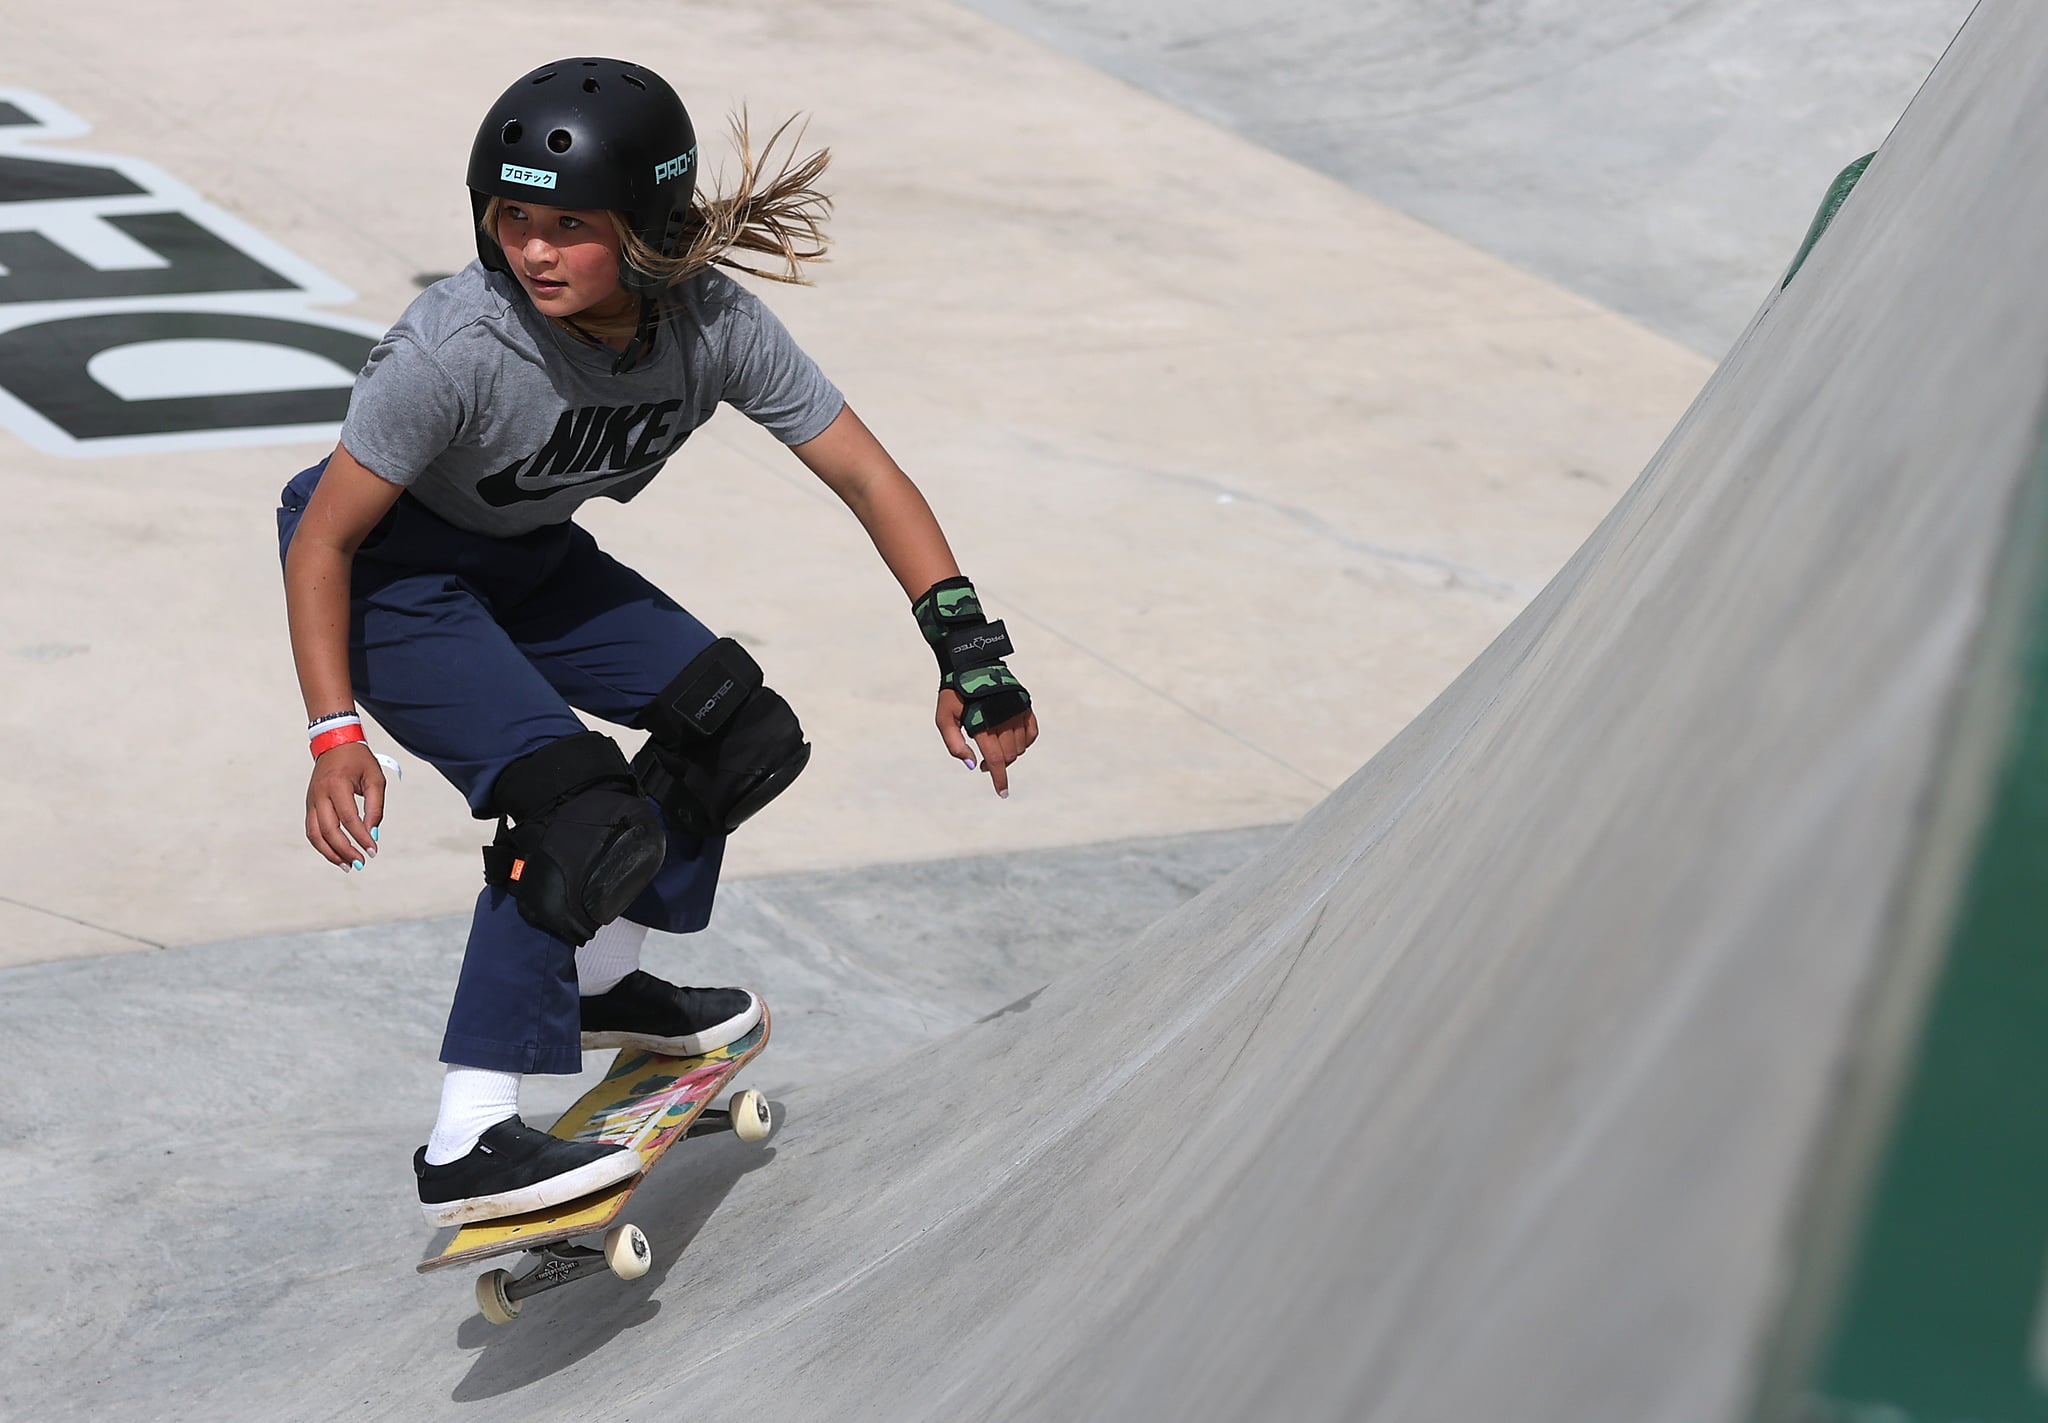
{"x": 472, "y": 652}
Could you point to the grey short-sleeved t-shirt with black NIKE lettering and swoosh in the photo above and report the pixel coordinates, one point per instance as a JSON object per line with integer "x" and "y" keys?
{"x": 501, "y": 423}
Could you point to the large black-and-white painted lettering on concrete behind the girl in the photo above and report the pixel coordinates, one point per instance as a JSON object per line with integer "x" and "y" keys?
{"x": 83, "y": 275}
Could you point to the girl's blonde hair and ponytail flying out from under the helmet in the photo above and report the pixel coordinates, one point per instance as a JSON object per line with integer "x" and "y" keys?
{"x": 783, "y": 218}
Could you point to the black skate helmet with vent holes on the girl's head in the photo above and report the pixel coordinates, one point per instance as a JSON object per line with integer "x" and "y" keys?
{"x": 589, "y": 134}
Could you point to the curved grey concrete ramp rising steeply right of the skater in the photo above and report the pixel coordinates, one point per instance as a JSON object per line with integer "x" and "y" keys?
{"x": 1504, "y": 1086}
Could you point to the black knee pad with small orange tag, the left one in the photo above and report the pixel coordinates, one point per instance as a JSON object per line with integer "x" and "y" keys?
{"x": 583, "y": 840}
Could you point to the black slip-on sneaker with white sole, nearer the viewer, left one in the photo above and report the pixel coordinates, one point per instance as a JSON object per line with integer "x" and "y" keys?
{"x": 515, "y": 1168}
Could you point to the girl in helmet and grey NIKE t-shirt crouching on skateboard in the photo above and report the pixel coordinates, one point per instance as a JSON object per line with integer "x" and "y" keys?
{"x": 433, "y": 576}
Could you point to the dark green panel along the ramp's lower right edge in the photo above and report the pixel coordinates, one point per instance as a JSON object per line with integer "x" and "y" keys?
{"x": 1945, "y": 1309}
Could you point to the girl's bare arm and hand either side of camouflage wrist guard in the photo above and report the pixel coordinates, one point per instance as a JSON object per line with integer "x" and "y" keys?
{"x": 855, "y": 466}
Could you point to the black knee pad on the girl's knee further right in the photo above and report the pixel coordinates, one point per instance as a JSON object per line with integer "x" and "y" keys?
{"x": 720, "y": 744}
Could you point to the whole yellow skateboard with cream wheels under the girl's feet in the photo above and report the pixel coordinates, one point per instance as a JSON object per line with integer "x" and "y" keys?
{"x": 648, "y": 1103}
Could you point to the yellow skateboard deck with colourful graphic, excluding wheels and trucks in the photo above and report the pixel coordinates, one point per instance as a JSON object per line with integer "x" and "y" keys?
{"x": 648, "y": 1103}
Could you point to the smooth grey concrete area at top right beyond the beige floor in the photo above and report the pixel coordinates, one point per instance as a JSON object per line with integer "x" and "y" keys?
{"x": 1660, "y": 157}
